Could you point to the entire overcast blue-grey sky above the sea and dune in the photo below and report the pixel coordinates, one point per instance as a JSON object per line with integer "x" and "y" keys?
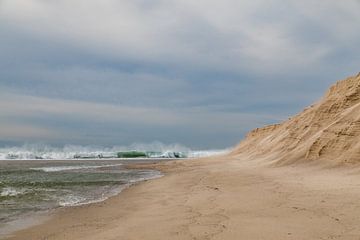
{"x": 198, "y": 73}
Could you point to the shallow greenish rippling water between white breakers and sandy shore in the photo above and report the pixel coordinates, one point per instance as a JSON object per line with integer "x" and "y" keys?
{"x": 29, "y": 187}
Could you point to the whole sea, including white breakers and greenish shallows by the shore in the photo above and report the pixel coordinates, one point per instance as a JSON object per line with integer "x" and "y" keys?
{"x": 36, "y": 180}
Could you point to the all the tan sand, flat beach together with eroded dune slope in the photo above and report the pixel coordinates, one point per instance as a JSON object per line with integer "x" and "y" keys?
{"x": 299, "y": 179}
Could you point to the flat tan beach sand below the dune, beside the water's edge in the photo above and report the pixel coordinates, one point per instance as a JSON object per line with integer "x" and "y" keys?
{"x": 219, "y": 198}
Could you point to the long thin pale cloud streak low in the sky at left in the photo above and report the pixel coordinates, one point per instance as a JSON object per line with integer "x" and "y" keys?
{"x": 22, "y": 106}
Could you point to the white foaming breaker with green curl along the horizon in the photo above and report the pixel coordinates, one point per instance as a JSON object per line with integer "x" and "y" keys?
{"x": 152, "y": 150}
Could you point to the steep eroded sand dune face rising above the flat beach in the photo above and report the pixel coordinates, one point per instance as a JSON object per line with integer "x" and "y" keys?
{"x": 328, "y": 130}
